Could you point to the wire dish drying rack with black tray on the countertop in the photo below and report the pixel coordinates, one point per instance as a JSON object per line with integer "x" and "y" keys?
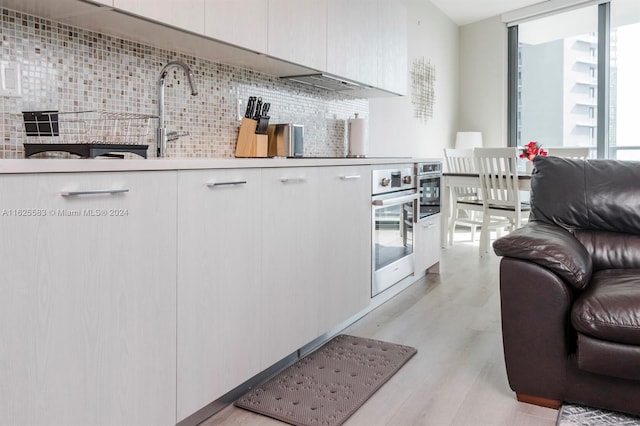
{"x": 87, "y": 133}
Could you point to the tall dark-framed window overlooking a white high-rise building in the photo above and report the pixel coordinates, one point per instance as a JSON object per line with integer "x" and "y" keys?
{"x": 574, "y": 79}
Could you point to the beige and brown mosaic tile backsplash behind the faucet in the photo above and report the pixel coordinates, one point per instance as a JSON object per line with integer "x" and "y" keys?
{"x": 69, "y": 69}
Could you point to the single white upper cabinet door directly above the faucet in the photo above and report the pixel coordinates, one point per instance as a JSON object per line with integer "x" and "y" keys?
{"x": 184, "y": 14}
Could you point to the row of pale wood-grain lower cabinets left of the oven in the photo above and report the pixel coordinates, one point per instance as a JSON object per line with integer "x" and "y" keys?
{"x": 137, "y": 298}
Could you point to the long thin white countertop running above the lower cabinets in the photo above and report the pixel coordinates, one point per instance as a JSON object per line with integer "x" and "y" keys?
{"x": 12, "y": 166}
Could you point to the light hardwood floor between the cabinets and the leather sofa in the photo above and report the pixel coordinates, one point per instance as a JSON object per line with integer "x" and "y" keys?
{"x": 458, "y": 375}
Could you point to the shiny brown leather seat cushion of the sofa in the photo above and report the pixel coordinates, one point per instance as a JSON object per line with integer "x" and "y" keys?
{"x": 609, "y": 308}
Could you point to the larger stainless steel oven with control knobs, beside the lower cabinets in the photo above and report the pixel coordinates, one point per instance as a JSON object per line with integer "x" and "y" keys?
{"x": 394, "y": 199}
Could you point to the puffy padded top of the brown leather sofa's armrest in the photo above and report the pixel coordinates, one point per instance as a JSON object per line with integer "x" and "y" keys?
{"x": 549, "y": 246}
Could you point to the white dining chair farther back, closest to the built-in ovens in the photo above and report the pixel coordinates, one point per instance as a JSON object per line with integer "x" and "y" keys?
{"x": 466, "y": 206}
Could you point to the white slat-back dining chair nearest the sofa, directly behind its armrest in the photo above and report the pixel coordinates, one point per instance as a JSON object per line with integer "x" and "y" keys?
{"x": 497, "y": 168}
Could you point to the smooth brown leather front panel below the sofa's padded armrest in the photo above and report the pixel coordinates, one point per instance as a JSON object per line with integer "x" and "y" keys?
{"x": 535, "y": 306}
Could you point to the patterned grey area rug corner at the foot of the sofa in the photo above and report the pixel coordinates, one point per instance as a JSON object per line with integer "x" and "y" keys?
{"x": 577, "y": 415}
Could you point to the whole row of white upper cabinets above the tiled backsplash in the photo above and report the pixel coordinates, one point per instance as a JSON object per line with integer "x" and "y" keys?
{"x": 360, "y": 40}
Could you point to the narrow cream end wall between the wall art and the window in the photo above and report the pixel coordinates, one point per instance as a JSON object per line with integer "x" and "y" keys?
{"x": 483, "y": 80}
